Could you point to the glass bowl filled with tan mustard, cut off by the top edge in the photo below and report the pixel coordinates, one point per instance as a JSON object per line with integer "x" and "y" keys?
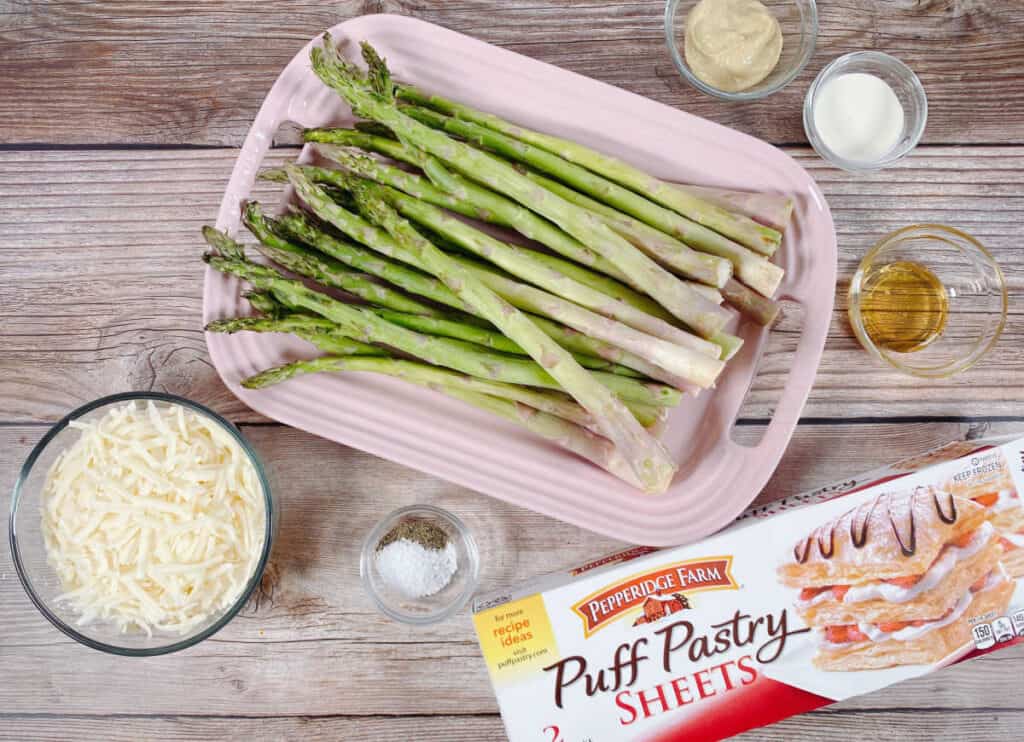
{"x": 741, "y": 50}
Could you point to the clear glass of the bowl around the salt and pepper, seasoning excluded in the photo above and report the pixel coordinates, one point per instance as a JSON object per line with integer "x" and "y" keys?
{"x": 439, "y": 606}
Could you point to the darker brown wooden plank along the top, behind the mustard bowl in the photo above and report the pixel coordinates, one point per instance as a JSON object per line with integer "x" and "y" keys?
{"x": 196, "y": 72}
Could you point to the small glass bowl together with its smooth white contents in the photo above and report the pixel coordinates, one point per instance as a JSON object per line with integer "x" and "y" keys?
{"x": 866, "y": 111}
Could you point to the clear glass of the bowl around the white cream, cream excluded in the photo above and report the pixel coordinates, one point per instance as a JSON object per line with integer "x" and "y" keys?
{"x": 905, "y": 83}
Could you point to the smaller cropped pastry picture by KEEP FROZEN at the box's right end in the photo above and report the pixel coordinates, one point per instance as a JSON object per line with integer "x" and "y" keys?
{"x": 986, "y": 478}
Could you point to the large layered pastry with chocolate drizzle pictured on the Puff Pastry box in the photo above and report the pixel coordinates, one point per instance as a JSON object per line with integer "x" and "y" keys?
{"x": 899, "y": 581}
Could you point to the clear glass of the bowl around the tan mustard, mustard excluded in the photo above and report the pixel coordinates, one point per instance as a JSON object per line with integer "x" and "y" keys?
{"x": 799, "y": 23}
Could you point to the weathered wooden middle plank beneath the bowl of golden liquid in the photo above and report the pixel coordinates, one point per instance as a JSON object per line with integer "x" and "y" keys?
{"x": 104, "y": 247}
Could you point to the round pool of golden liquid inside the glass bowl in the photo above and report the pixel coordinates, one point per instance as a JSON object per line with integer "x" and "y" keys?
{"x": 905, "y": 307}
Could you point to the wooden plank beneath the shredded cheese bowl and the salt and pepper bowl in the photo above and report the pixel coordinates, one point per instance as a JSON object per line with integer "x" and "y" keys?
{"x": 312, "y": 627}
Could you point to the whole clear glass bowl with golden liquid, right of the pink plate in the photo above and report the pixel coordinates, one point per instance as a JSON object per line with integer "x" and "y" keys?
{"x": 929, "y": 300}
